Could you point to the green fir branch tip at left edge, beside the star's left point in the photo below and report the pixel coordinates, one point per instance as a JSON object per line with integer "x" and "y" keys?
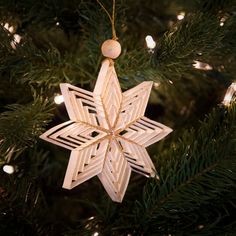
{"x": 21, "y": 125}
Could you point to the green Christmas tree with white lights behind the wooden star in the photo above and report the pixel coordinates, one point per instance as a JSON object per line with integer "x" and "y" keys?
{"x": 187, "y": 48}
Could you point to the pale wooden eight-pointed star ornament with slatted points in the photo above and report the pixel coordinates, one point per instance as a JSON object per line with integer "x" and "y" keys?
{"x": 107, "y": 132}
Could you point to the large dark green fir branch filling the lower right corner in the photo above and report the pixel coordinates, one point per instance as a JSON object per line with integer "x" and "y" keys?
{"x": 199, "y": 173}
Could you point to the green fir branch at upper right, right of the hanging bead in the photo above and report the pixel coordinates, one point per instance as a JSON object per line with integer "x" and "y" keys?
{"x": 198, "y": 33}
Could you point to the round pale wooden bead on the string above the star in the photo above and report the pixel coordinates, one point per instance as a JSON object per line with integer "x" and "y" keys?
{"x": 111, "y": 49}
